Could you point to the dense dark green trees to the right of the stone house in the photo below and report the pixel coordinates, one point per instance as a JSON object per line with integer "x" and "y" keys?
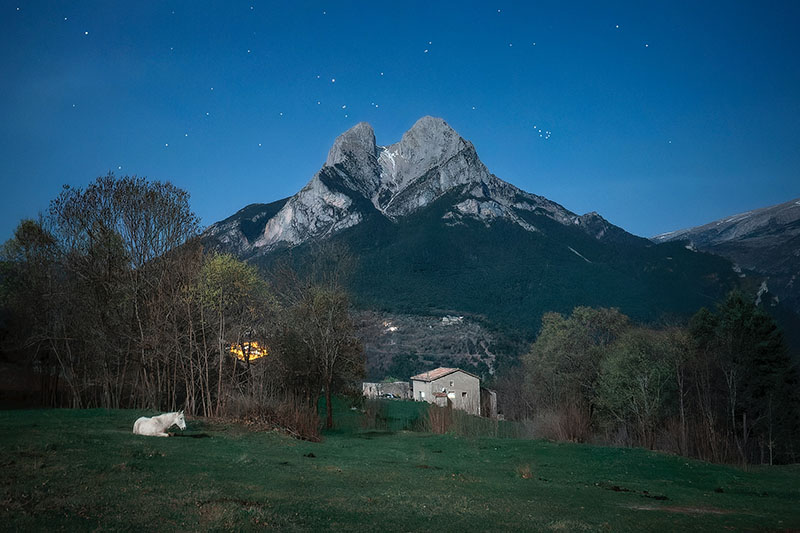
{"x": 722, "y": 388}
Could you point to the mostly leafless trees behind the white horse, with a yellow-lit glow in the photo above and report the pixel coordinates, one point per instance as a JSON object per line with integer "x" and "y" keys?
{"x": 112, "y": 300}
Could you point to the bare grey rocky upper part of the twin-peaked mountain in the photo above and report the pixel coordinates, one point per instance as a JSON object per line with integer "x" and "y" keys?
{"x": 360, "y": 178}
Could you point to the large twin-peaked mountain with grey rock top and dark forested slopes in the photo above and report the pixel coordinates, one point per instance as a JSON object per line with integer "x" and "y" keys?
{"x": 435, "y": 234}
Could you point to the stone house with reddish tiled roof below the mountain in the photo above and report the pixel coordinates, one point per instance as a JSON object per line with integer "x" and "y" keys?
{"x": 448, "y": 386}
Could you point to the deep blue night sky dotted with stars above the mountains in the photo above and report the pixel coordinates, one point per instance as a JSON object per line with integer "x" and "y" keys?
{"x": 658, "y": 115}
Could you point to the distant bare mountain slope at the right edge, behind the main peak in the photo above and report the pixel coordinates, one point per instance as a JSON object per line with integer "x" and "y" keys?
{"x": 764, "y": 241}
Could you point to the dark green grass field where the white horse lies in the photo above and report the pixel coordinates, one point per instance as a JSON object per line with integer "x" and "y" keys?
{"x": 83, "y": 470}
